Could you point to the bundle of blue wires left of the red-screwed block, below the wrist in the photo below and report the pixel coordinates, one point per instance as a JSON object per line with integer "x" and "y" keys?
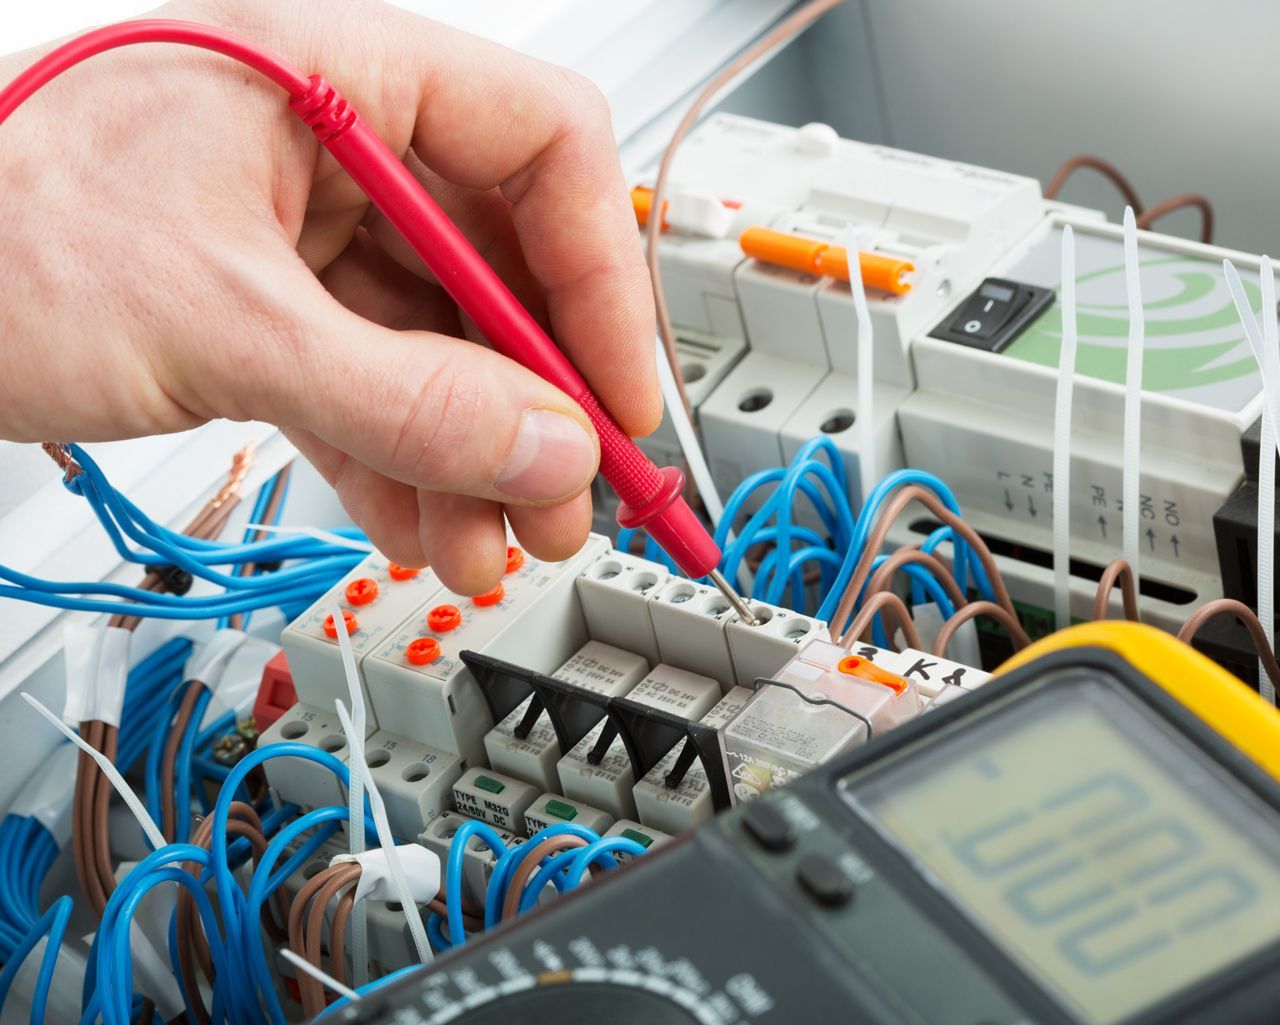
{"x": 317, "y": 565}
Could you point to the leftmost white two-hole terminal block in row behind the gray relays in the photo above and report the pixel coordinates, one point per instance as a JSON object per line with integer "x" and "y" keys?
{"x": 614, "y": 592}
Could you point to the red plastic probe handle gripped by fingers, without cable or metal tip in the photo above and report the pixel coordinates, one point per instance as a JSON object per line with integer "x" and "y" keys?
{"x": 651, "y": 498}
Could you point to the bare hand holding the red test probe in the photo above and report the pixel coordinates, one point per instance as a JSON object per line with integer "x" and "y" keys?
{"x": 177, "y": 248}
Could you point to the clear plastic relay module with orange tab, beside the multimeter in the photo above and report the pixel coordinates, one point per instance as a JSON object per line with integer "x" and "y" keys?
{"x": 817, "y": 710}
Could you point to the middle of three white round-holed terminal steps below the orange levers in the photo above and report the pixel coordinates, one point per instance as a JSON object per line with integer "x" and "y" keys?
{"x": 743, "y": 422}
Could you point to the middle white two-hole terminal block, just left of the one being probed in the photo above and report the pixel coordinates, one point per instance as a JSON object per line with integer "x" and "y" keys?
{"x": 689, "y": 623}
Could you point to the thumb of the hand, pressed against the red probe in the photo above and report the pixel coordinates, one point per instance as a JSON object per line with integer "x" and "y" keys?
{"x": 431, "y": 411}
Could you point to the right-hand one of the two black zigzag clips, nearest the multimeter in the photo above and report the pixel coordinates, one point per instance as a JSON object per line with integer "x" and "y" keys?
{"x": 650, "y": 734}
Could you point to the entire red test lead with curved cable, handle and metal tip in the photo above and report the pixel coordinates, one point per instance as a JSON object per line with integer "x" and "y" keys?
{"x": 652, "y": 498}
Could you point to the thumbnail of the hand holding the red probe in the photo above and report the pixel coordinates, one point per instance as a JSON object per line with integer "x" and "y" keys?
{"x": 554, "y": 457}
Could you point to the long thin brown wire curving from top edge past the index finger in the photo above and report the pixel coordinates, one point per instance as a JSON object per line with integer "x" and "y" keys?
{"x": 778, "y": 36}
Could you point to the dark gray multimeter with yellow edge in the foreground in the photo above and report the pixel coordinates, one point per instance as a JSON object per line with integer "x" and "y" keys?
{"x": 1091, "y": 839}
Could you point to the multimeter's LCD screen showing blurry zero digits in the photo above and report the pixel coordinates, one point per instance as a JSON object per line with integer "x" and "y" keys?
{"x": 1101, "y": 850}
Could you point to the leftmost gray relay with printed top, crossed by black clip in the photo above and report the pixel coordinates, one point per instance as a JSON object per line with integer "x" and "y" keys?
{"x": 596, "y": 667}
